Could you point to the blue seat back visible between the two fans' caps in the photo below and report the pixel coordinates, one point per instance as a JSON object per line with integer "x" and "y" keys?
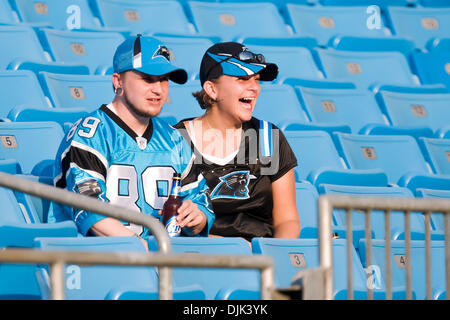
{"x": 187, "y": 52}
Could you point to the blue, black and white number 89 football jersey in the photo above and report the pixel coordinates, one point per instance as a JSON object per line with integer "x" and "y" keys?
{"x": 102, "y": 157}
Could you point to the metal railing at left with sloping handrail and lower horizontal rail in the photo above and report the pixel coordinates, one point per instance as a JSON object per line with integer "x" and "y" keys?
{"x": 164, "y": 259}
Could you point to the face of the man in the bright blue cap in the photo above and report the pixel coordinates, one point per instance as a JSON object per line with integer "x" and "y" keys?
{"x": 144, "y": 94}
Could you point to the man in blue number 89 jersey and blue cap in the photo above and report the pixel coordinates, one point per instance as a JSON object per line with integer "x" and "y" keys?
{"x": 124, "y": 155}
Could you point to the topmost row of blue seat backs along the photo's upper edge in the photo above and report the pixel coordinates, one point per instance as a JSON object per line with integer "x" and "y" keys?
{"x": 233, "y": 19}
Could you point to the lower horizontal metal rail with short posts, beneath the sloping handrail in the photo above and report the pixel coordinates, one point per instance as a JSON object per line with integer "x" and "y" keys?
{"x": 58, "y": 260}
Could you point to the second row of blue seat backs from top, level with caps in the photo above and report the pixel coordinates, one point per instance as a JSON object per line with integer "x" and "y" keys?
{"x": 95, "y": 50}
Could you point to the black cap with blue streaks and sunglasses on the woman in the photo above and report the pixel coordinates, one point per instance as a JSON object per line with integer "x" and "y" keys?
{"x": 235, "y": 59}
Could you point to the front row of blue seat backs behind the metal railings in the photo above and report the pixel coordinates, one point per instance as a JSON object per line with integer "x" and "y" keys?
{"x": 290, "y": 256}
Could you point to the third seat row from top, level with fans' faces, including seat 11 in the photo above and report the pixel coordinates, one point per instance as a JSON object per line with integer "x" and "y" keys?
{"x": 304, "y": 104}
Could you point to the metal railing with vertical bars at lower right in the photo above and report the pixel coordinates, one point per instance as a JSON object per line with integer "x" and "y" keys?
{"x": 326, "y": 205}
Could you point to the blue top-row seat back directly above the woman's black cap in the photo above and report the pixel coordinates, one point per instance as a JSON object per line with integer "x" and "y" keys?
{"x": 231, "y": 21}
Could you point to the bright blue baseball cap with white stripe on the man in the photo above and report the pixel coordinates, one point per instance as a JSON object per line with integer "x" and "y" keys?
{"x": 147, "y": 55}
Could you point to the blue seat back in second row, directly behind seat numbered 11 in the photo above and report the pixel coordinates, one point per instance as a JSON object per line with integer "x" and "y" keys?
{"x": 366, "y": 68}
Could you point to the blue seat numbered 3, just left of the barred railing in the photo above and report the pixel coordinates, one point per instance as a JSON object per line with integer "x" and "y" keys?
{"x": 293, "y": 255}
